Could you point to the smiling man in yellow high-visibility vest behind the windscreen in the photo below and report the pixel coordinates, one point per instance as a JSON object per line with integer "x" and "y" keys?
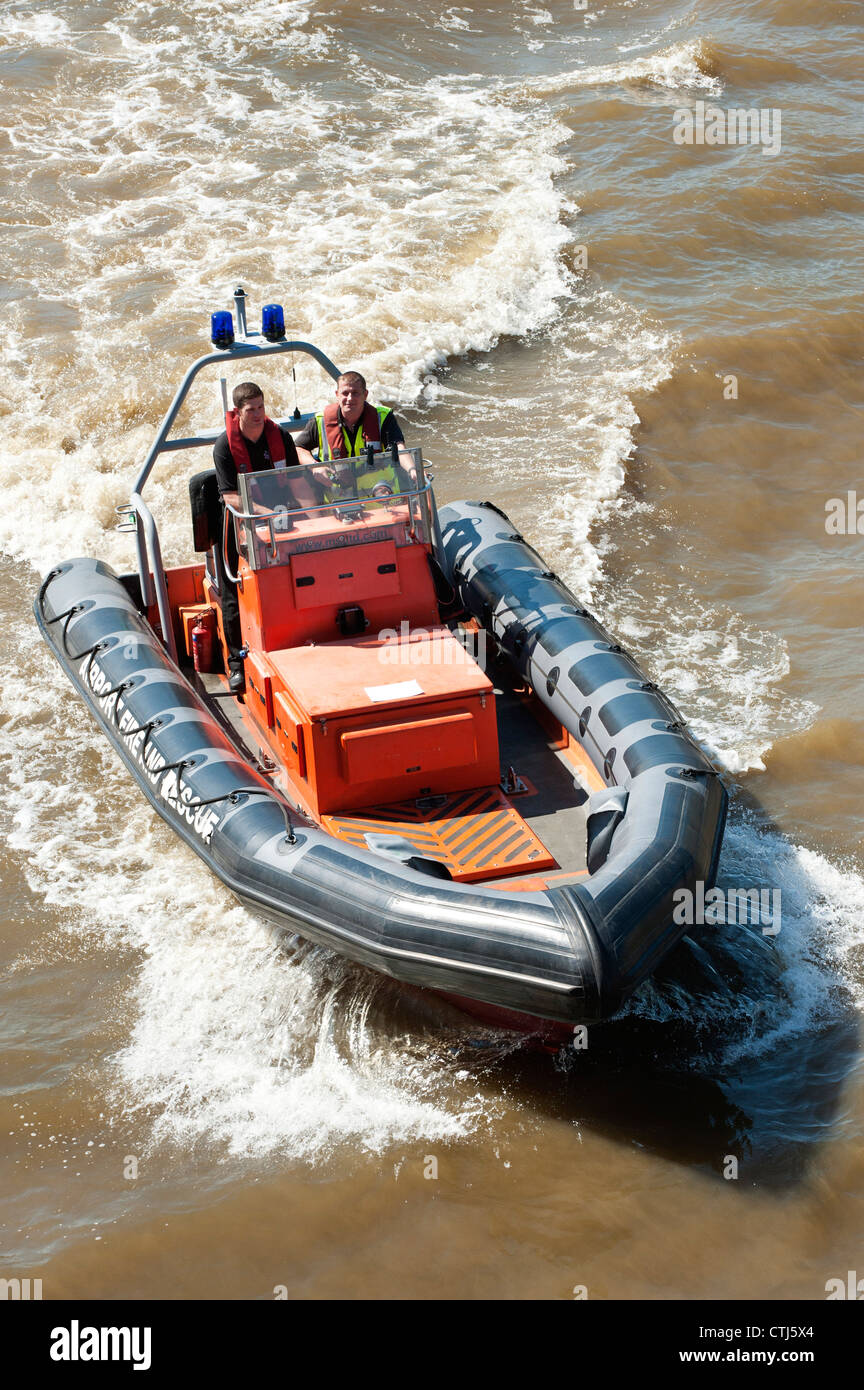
{"x": 345, "y": 430}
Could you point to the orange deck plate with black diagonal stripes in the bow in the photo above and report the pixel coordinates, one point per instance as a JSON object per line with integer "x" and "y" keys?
{"x": 477, "y": 835}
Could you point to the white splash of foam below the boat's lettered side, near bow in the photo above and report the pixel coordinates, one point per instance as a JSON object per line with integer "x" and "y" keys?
{"x": 269, "y": 1054}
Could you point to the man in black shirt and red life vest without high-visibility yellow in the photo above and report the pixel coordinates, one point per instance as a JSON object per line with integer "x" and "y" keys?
{"x": 251, "y": 444}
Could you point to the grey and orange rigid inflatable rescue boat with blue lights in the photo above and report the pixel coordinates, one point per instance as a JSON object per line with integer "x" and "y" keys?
{"x": 444, "y": 767}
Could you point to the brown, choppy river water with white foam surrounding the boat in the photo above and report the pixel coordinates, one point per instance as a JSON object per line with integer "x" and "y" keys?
{"x": 651, "y": 355}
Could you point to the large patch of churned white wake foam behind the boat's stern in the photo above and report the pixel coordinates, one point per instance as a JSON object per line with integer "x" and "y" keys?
{"x": 405, "y": 281}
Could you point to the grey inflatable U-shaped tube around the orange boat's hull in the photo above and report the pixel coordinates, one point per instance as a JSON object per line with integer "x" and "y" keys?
{"x": 570, "y": 953}
